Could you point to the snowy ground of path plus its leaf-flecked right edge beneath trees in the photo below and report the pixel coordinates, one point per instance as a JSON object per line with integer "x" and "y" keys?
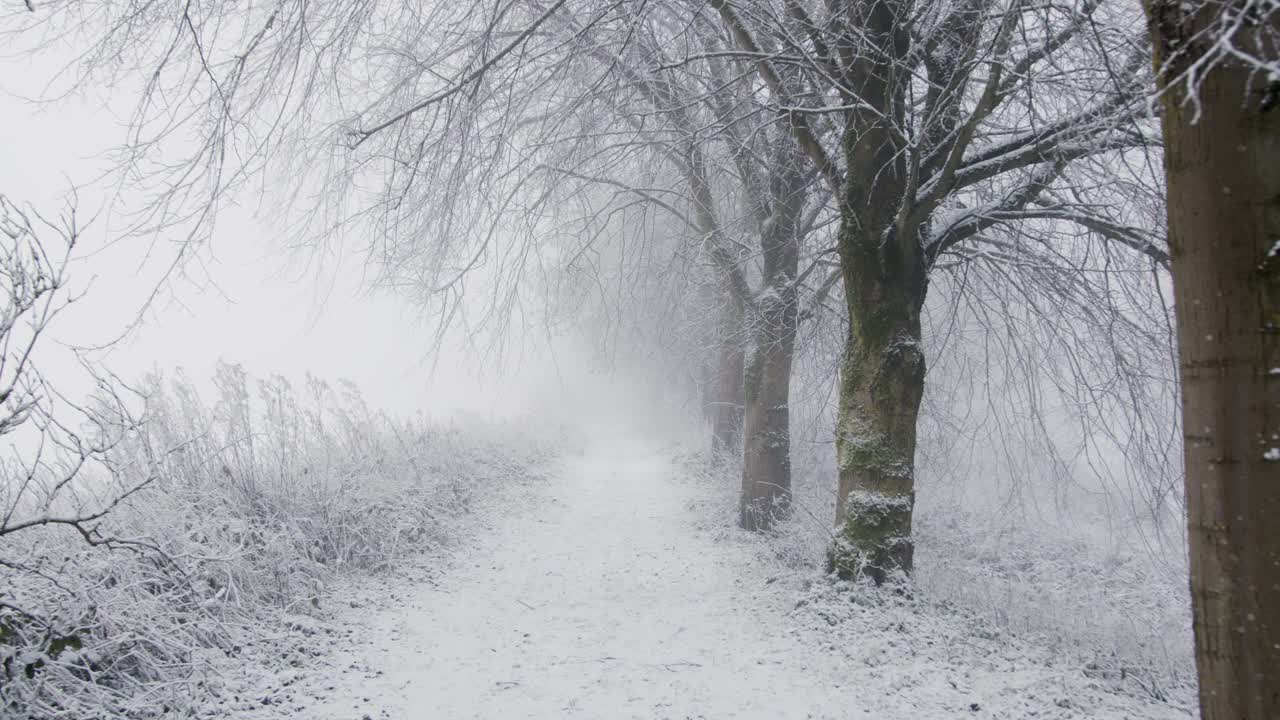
{"x": 604, "y": 594}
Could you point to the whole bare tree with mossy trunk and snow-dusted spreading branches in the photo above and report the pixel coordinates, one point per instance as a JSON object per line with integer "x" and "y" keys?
{"x": 936, "y": 126}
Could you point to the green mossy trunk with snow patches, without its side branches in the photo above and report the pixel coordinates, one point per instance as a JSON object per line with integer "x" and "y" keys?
{"x": 886, "y": 277}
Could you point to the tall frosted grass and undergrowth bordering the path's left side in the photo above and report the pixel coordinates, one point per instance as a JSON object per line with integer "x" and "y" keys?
{"x": 263, "y": 500}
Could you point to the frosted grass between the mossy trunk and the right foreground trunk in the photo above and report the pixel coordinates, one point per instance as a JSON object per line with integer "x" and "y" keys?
{"x": 1130, "y": 613}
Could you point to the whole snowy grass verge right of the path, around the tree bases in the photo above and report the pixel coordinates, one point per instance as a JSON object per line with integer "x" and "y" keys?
{"x": 1121, "y": 618}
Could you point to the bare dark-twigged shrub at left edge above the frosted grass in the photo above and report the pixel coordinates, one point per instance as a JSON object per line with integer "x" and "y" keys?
{"x": 62, "y": 446}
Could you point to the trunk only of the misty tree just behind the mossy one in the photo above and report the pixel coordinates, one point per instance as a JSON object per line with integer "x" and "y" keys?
{"x": 767, "y": 436}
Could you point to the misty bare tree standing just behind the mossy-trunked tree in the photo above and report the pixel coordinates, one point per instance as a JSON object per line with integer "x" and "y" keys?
{"x": 744, "y": 192}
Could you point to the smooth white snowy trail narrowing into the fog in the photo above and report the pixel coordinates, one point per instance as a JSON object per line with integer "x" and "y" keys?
{"x": 604, "y": 603}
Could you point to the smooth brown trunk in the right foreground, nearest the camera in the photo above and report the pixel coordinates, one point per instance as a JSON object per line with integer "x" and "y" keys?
{"x": 1223, "y": 170}
